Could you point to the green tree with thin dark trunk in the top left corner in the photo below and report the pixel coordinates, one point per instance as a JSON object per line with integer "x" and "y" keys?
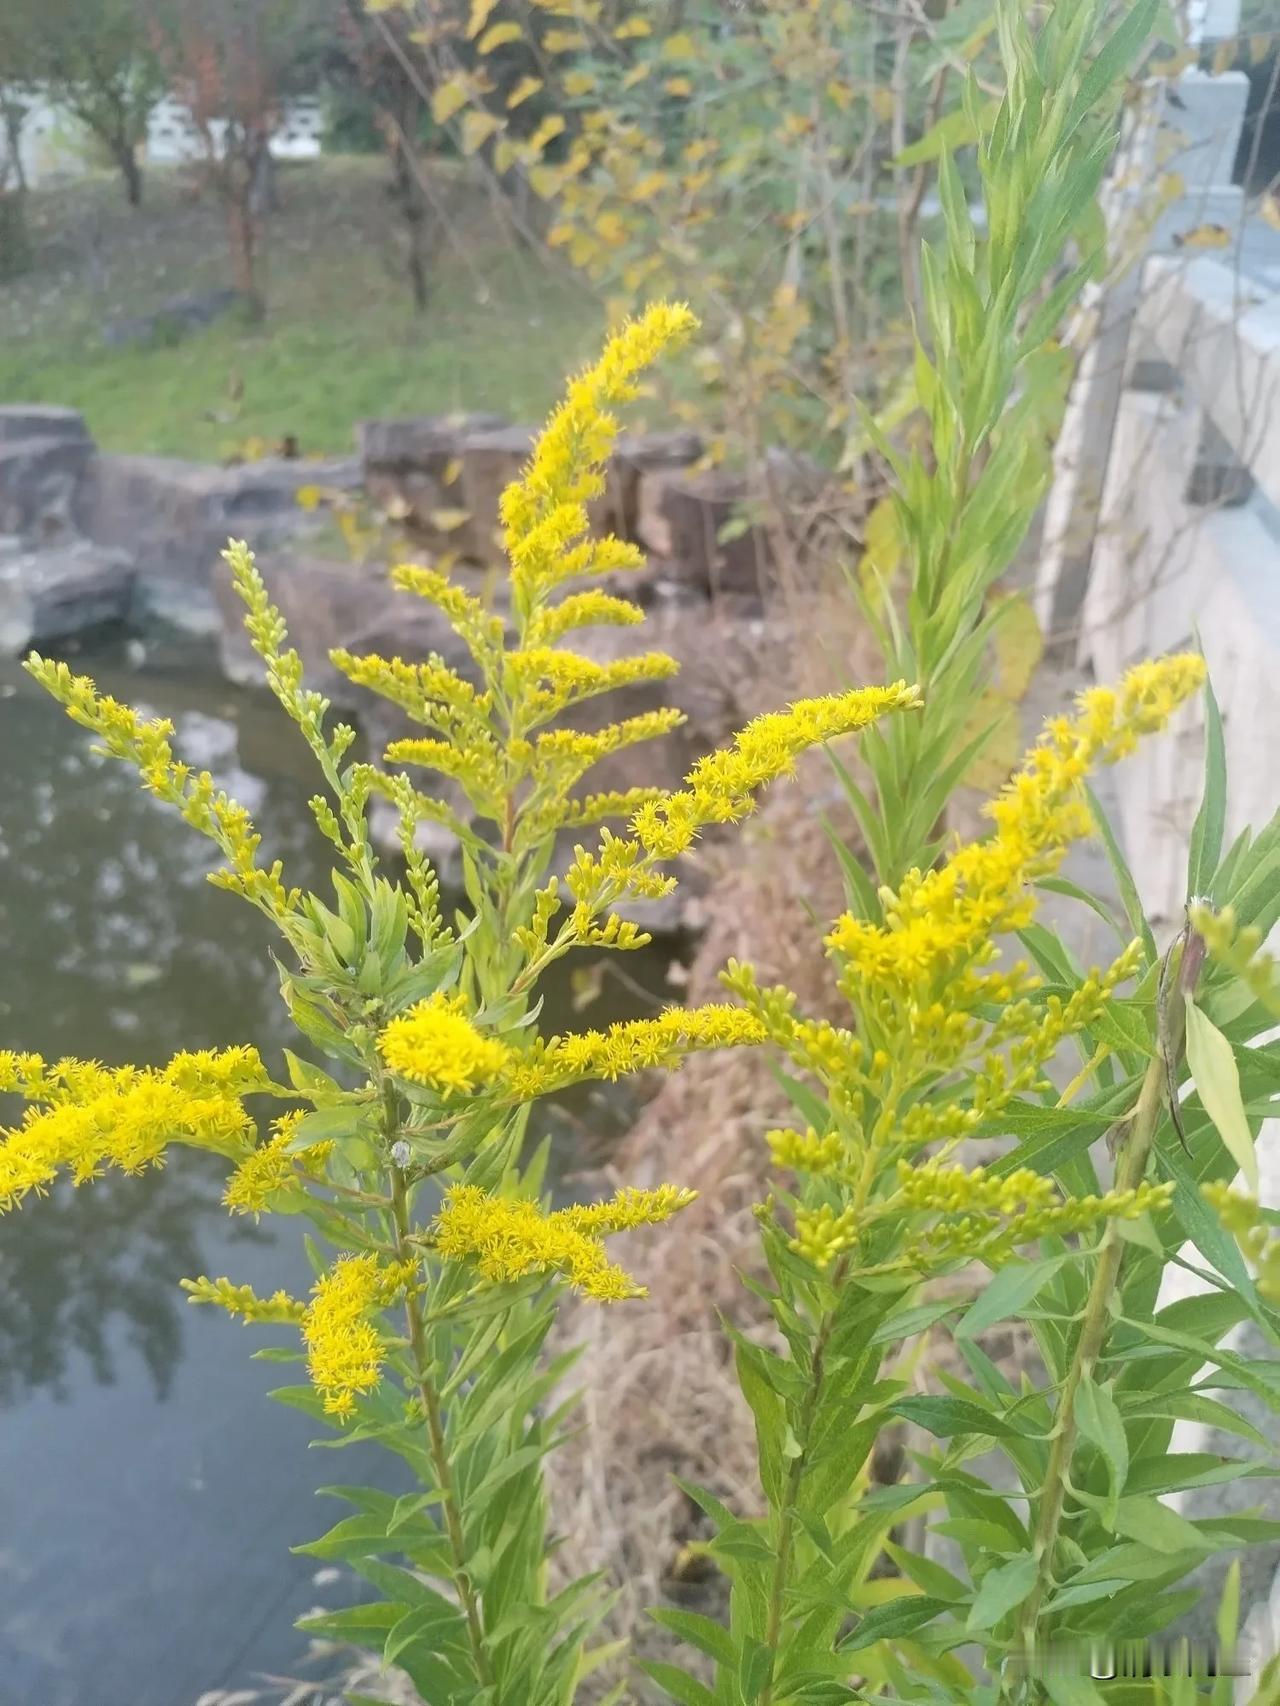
{"x": 95, "y": 61}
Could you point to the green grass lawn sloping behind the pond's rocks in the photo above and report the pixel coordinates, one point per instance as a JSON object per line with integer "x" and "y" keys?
{"x": 340, "y": 342}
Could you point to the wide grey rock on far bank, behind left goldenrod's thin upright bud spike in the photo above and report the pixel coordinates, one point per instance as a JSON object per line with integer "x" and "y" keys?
{"x": 177, "y": 518}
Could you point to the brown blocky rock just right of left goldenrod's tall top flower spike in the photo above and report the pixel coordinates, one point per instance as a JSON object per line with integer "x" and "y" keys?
{"x": 682, "y": 516}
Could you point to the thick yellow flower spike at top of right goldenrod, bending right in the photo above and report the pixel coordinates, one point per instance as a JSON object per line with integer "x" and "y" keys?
{"x": 941, "y": 924}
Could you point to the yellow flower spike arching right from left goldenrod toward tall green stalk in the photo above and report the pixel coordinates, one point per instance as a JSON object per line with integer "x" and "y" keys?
{"x": 723, "y": 786}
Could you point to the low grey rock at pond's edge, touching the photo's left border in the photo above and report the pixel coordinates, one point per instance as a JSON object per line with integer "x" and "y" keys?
{"x": 49, "y": 595}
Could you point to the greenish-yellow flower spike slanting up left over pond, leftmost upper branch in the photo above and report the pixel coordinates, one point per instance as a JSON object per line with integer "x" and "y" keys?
{"x": 146, "y": 745}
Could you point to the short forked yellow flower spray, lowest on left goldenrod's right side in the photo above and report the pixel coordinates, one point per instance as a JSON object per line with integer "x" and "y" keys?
{"x": 509, "y": 1239}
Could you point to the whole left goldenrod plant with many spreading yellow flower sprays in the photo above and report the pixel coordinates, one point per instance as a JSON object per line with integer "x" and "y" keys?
{"x": 428, "y": 1323}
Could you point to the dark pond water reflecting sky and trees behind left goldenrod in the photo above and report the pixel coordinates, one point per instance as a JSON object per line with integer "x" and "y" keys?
{"x": 149, "y": 1492}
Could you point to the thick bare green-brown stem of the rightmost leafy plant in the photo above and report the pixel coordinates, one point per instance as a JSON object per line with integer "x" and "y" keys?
{"x": 1131, "y": 1171}
